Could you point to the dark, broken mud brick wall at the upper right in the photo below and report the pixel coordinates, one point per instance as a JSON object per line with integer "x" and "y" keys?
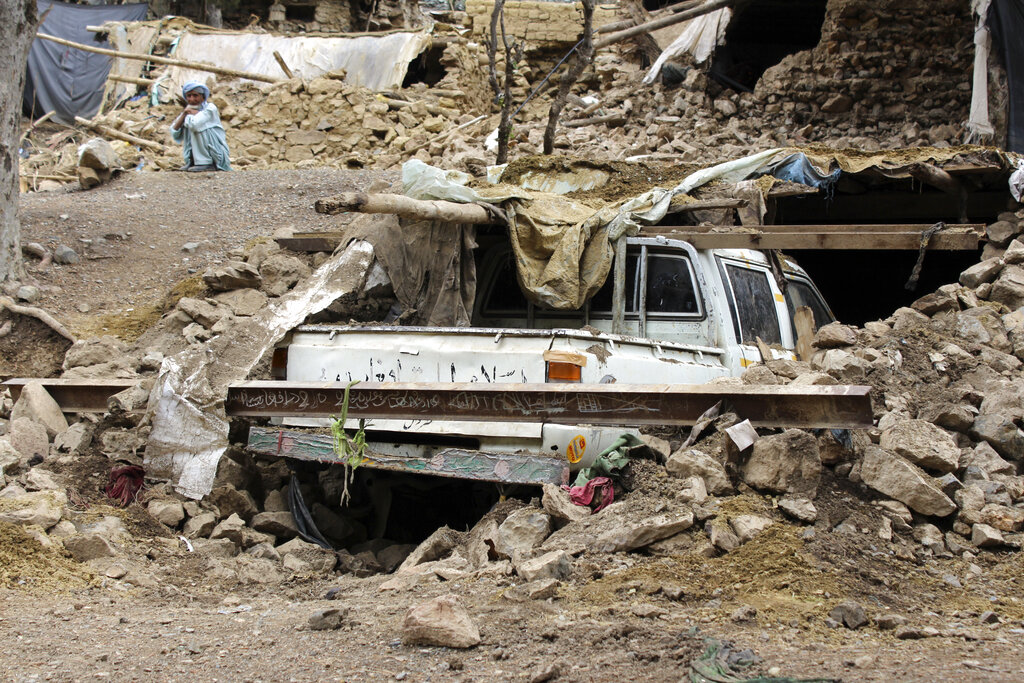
{"x": 889, "y": 61}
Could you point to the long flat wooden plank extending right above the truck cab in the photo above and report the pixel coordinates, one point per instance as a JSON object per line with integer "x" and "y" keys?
{"x": 813, "y": 241}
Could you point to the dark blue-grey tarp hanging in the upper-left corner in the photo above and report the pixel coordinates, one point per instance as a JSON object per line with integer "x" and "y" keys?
{"x": 63, "y": 79}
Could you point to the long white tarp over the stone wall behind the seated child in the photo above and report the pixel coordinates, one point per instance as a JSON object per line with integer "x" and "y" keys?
{"x": 378, "y": 63}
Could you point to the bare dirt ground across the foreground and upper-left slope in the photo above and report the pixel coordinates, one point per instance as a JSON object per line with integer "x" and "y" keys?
{"x": 160, "y": 613}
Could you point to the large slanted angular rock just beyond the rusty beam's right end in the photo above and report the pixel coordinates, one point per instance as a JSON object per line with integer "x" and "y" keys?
{"x": 898, "y": 479}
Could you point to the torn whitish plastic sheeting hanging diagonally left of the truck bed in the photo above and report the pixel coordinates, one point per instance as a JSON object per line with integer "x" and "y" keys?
{"x": 187, "y": 409}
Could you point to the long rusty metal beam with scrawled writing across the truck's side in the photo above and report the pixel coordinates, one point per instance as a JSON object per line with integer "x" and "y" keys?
{"x": 842, "y": 407}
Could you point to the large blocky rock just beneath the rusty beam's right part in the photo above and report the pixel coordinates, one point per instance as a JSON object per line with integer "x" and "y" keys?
{"x": 787, "y": 463}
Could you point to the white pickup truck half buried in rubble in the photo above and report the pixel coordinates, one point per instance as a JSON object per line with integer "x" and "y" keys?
{"x": 688, "y": 317}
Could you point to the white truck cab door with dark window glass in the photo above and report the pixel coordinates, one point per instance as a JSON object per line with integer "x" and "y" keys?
{"x": 757, "y": 307}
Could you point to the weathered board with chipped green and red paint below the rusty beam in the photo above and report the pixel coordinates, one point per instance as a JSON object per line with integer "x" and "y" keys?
{"x": 455, "y": 463}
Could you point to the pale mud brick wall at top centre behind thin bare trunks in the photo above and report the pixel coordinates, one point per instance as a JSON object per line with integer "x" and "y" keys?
{"x": 537, "y": 22}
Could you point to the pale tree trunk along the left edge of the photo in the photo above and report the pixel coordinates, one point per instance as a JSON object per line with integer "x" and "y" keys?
{"x": 18, "y": 27}
